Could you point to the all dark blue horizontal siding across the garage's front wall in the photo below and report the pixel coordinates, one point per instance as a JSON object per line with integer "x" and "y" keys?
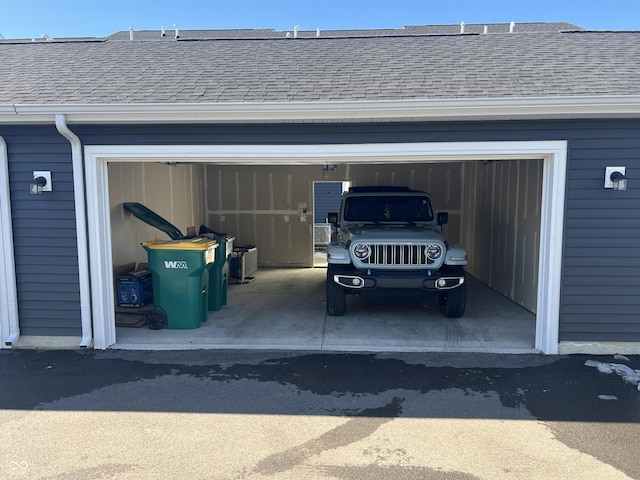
{"x": 601, "y": 266}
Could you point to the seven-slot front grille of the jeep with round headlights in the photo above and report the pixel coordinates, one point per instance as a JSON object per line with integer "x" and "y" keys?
{"x": 397, "y": 254}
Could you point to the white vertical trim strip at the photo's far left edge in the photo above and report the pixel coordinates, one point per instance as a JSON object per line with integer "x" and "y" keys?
{"x": 9, "y": 320}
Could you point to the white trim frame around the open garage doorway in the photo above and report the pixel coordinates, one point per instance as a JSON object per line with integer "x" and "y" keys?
{"x": 554, "y": 154}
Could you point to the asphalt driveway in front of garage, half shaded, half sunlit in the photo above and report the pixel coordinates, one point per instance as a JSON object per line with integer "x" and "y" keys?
{"x": 262, "y": 415}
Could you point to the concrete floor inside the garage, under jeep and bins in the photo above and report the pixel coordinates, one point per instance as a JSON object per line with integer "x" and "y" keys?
{"x": 284, "y": 309}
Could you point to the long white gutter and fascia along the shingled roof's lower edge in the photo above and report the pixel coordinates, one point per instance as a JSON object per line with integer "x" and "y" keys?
{"x": 357, "y": 111}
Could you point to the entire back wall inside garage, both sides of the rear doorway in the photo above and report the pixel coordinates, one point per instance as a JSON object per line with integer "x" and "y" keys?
{"x": 265, "y": 206}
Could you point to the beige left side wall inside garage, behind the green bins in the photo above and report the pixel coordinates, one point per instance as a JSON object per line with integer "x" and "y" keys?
{"x": 175, "y": 192}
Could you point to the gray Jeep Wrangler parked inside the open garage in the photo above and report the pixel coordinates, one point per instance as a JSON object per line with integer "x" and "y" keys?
{"x": 388, "y": 241}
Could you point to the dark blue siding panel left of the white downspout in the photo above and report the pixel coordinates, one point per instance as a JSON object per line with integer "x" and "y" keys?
{"x": 44, "y": 233}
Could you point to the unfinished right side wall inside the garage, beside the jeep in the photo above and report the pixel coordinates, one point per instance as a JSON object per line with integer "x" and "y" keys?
{"x": 501, "y": 228}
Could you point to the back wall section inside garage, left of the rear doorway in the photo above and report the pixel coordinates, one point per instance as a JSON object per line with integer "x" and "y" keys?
{"x": 269, "y": 207}
